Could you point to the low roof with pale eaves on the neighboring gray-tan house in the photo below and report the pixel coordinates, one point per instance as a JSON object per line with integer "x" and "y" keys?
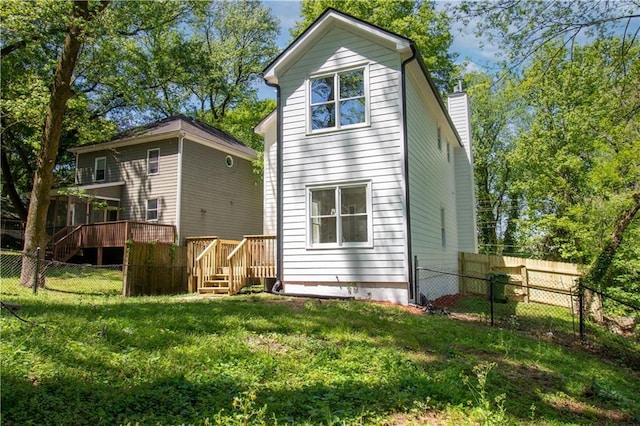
{"x": 175, "y": 126}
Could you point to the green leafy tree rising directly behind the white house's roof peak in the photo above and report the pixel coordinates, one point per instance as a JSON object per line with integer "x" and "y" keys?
{"x": 417, "y": 20}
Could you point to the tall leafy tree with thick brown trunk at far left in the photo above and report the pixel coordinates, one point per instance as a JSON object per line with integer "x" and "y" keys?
{"x": 55, "y": 49}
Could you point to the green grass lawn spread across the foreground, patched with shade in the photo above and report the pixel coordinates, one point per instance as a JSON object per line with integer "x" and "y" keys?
{"x": 264, "y": 359}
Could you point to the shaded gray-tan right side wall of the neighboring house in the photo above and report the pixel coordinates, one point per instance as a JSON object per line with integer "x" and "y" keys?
{"x": 216, "y": 199}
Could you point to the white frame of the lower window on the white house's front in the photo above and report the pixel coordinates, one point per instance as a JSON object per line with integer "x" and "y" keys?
{"x": 339, "y": 243}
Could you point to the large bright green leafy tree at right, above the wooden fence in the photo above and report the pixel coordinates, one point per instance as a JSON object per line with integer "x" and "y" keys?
{"x": 579, "y": 161}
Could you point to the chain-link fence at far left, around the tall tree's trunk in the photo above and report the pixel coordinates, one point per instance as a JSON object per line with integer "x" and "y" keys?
{"x": 56, "y": 277}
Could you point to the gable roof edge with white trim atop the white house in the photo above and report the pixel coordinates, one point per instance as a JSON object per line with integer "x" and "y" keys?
{"x": 332, "y": 18}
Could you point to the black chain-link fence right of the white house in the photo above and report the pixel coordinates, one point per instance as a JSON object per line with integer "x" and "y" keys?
{"x": 545, "y": 308}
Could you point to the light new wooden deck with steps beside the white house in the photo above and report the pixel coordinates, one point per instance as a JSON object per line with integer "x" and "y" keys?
{"x": 225, "y": 266}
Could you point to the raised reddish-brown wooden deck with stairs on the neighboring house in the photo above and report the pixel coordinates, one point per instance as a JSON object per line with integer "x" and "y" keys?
{"x": 69, "y": 241}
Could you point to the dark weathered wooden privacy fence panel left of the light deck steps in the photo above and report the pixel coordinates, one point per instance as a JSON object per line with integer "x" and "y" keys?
{"x": 154, "y": 269}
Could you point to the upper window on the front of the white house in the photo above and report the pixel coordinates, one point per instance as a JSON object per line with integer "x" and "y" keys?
{"x": 338, "y": 100}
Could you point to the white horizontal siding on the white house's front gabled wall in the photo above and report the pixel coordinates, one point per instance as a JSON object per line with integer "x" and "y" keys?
{"x": 373, "y": 154}
